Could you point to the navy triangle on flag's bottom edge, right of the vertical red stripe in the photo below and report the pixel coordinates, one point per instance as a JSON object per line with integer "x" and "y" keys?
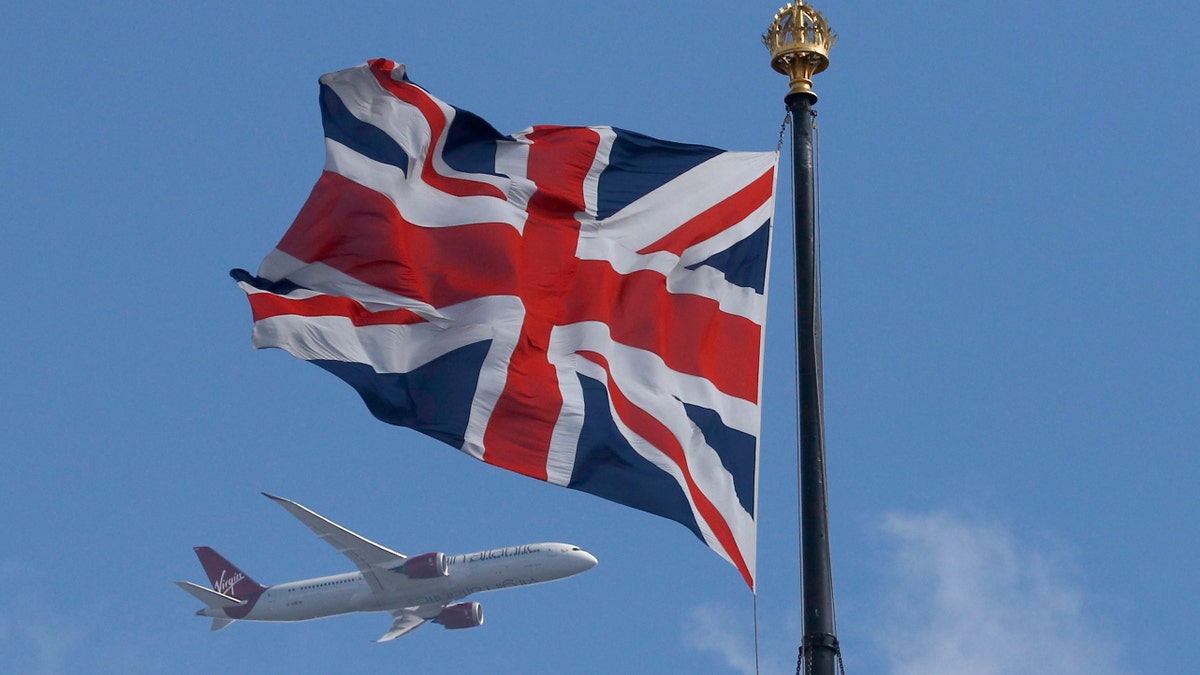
{"x": 608, "y": 467}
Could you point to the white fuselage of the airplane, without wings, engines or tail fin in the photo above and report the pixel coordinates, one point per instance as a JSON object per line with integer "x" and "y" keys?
{"x": 469, "y": 574}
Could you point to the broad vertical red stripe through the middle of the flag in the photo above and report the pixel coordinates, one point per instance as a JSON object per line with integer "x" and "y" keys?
{"x": 520, "y": 429}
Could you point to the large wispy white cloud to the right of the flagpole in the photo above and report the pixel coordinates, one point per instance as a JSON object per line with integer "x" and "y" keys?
{"x": 969, "y": 599}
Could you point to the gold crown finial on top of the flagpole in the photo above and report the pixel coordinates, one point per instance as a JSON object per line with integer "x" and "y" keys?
{"x": 800, "y": 40}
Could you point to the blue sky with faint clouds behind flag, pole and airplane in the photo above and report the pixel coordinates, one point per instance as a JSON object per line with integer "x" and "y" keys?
{"x": 1012, "y": 315}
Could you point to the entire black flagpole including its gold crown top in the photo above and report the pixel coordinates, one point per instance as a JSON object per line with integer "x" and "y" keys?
{"x": 800, "y": 40}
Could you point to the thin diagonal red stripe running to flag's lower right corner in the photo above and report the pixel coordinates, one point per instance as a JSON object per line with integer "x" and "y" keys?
{"x": 658, "y": 435}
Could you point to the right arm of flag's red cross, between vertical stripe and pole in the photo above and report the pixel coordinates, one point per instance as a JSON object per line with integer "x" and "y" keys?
{"x": 691, "y": 333}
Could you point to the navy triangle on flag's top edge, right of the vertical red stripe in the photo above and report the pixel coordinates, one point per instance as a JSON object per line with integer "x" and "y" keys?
{"x": 640, "y": 165}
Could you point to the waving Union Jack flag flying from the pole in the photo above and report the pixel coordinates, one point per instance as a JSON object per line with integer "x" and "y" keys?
{"x": 583, "y": 306}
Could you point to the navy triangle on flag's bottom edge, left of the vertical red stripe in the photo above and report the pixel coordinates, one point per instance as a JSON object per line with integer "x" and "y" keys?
{"x": 435, "y": 399}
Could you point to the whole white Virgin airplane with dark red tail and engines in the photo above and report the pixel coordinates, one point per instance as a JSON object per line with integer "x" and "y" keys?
{"x": 413, "y": 589}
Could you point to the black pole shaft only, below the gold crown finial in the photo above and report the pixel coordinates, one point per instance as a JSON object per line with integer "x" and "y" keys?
{"x": 820, "y": 643}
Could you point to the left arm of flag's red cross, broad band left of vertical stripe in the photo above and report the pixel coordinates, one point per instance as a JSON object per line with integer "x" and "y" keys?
{"x": 361, "y": 234}
